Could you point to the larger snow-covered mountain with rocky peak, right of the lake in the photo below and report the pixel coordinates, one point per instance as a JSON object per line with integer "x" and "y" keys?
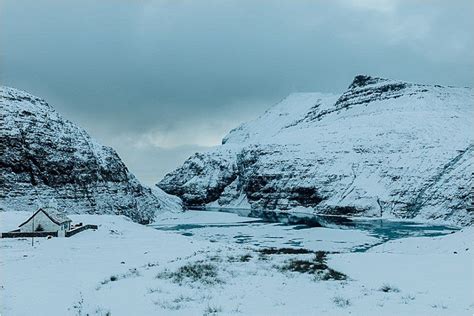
{"x": 383, "y": 148}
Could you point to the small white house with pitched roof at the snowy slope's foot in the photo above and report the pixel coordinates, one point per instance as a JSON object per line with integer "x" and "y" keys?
{"x": 47, "y": 220}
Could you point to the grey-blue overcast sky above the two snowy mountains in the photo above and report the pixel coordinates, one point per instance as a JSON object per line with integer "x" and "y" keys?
{"x": 159, "y": 80}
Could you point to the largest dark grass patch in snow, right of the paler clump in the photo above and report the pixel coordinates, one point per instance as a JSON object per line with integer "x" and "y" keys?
{"x": 317, "y": 266}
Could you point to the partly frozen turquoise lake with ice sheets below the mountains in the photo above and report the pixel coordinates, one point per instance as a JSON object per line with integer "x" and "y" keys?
{"x": 316, "y": 232}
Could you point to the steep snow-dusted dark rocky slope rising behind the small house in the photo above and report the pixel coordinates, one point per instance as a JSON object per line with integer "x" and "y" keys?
{"x": 44, "y": 157}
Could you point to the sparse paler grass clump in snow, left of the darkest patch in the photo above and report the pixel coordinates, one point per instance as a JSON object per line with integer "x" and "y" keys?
{"x": 204, "y": 273}
